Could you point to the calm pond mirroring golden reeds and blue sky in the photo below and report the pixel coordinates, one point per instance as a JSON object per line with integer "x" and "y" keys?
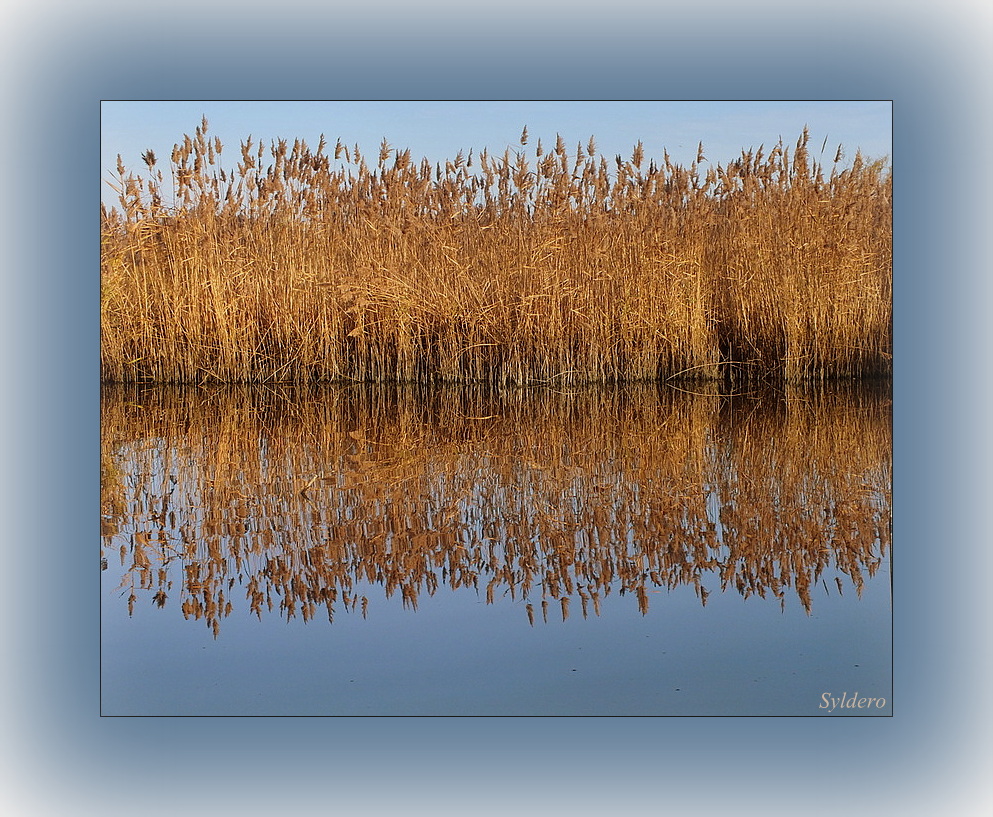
{"x": 377, "y": 550}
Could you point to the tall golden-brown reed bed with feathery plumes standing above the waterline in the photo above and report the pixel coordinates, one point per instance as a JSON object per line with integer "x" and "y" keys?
{"x": 555, "y": 266}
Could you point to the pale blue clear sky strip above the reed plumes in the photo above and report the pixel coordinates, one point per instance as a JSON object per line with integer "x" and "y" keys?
{"x": 439, "y": 130}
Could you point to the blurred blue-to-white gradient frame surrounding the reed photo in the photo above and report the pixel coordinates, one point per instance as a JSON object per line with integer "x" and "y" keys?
{"x": 931, "y": 757}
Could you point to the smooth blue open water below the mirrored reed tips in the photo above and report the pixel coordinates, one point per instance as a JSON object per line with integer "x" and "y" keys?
{"x": 459, "y": 656}
